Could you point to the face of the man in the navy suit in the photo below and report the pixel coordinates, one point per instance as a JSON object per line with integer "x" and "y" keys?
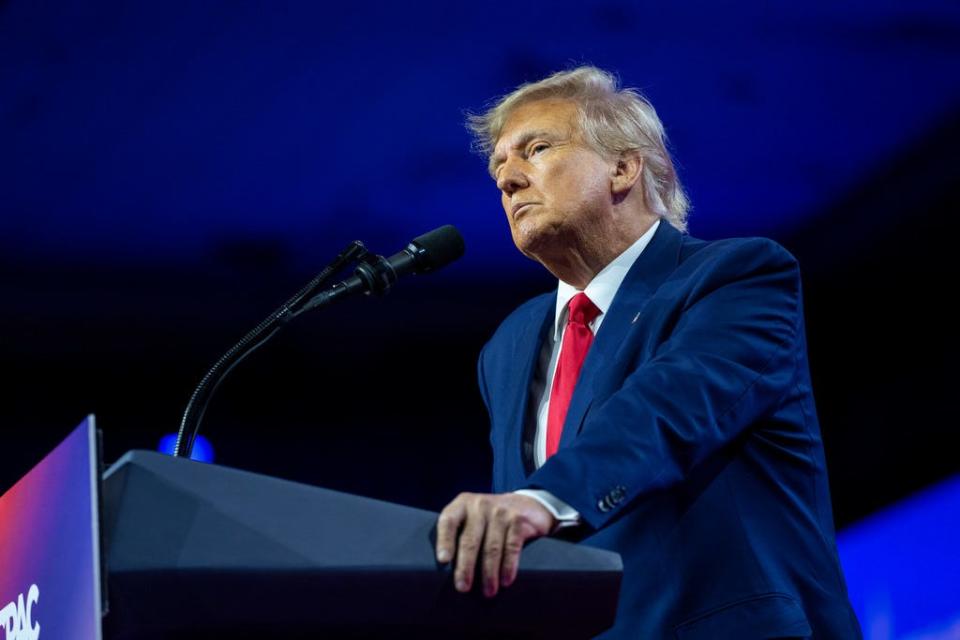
{"x": 555, "y": 190}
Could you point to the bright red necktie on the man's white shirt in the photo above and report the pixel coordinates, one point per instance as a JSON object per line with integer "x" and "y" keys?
{"x": 577, "y": 339}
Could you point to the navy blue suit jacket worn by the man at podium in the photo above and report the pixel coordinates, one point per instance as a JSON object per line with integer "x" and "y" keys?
{"x": 691, "y": 446}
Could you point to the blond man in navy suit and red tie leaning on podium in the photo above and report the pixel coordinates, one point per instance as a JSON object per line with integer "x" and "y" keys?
{"x": 658, "y": 404}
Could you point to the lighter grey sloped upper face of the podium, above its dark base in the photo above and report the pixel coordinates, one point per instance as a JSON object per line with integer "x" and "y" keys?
{"x": 168, "y": 512}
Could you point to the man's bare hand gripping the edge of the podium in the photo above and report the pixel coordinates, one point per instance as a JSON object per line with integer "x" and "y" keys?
{"x": 500, "y": 524}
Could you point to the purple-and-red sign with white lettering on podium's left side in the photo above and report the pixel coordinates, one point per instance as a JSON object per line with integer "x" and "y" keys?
{"x": 49, "y": 546}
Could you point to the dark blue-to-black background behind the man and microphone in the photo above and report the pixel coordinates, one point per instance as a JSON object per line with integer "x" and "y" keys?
{"x": 170, "y": 173}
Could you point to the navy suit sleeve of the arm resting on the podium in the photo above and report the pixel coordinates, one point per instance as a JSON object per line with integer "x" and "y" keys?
{"x": 727, "y": 362}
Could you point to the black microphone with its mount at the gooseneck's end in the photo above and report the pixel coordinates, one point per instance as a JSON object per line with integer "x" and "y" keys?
{"x": 376, "y": 274}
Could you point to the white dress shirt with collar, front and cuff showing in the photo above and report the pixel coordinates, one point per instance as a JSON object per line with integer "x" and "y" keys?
{"x": 601, "y": 291}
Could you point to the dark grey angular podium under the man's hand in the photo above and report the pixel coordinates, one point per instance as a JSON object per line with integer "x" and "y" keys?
{"x": 196, "y": 550}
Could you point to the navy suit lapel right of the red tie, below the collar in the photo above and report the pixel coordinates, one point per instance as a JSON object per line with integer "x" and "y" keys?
{"x": 657, "y": 261}
